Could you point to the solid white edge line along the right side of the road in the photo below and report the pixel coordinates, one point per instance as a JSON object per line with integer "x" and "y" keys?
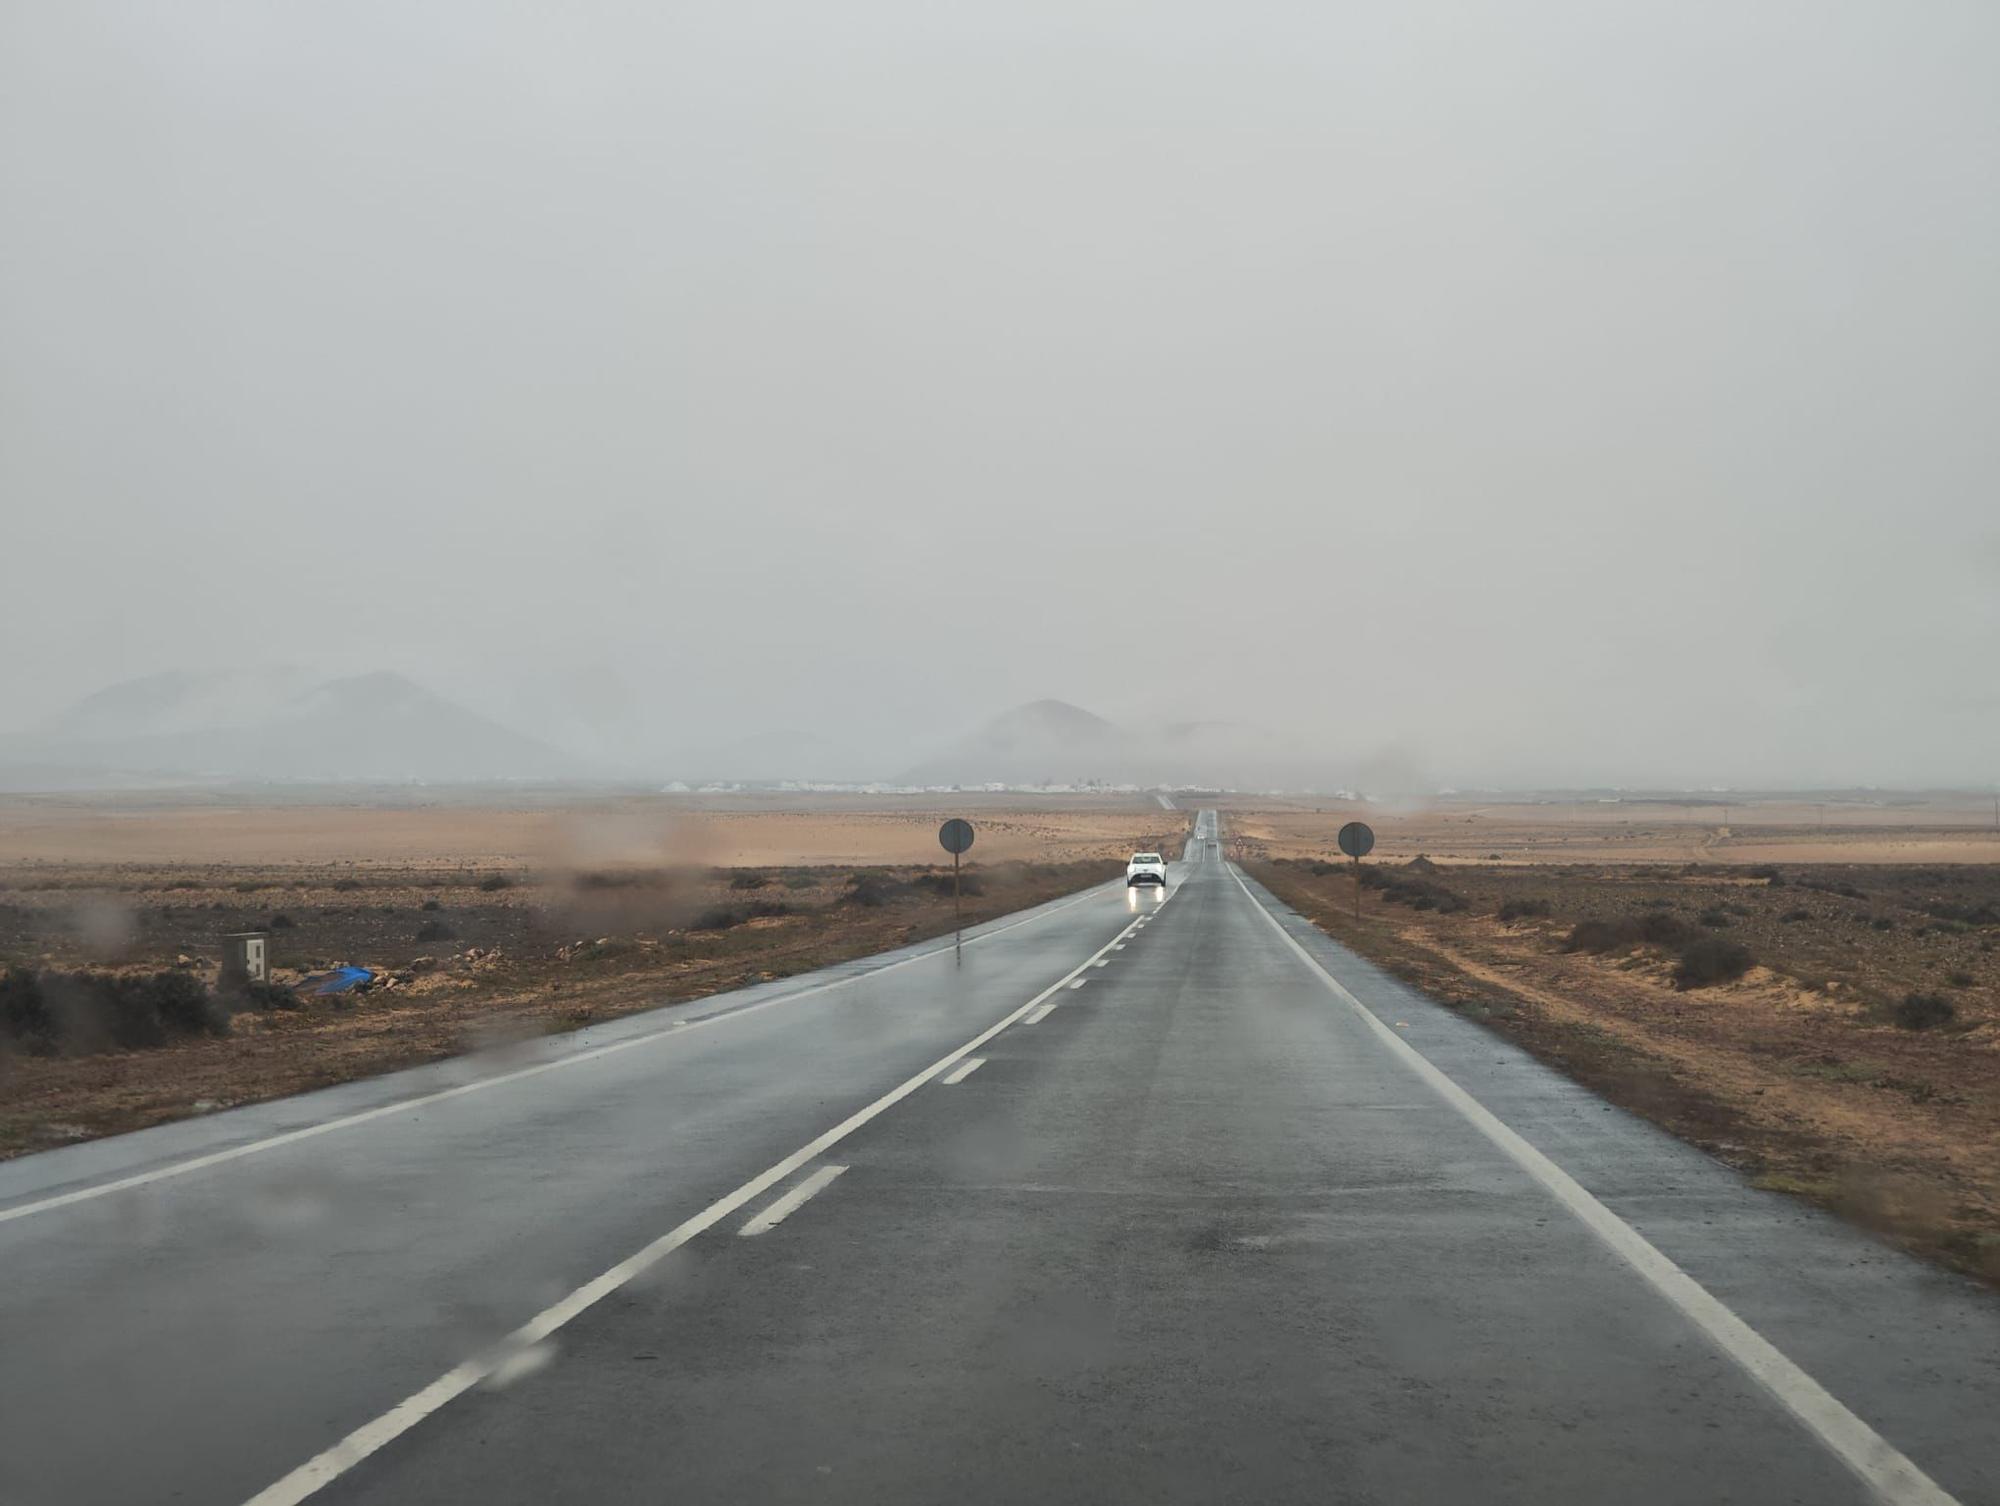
{"x": 1879, "y": 1463}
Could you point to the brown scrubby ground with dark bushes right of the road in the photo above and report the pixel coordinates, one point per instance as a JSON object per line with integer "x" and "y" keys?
{"x": 1831, "y": 1031}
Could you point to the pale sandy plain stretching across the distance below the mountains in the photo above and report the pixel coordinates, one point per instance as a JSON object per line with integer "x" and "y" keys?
{"x": 483, "y": 829}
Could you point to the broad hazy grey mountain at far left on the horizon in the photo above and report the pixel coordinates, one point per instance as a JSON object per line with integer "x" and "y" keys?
{"x": 281, "y": 725}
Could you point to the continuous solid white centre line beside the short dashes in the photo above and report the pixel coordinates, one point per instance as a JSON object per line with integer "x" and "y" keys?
{"x": 329, "y": 1465}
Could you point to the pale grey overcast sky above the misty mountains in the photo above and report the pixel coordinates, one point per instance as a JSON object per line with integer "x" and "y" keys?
{"x": 1527, "y": 391}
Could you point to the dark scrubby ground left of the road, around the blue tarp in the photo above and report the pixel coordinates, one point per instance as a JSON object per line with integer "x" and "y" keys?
{"x": 113, "y": 1015}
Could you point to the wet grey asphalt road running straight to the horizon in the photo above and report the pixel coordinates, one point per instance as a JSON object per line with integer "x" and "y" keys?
{"x": 1143, "y": 1201}
